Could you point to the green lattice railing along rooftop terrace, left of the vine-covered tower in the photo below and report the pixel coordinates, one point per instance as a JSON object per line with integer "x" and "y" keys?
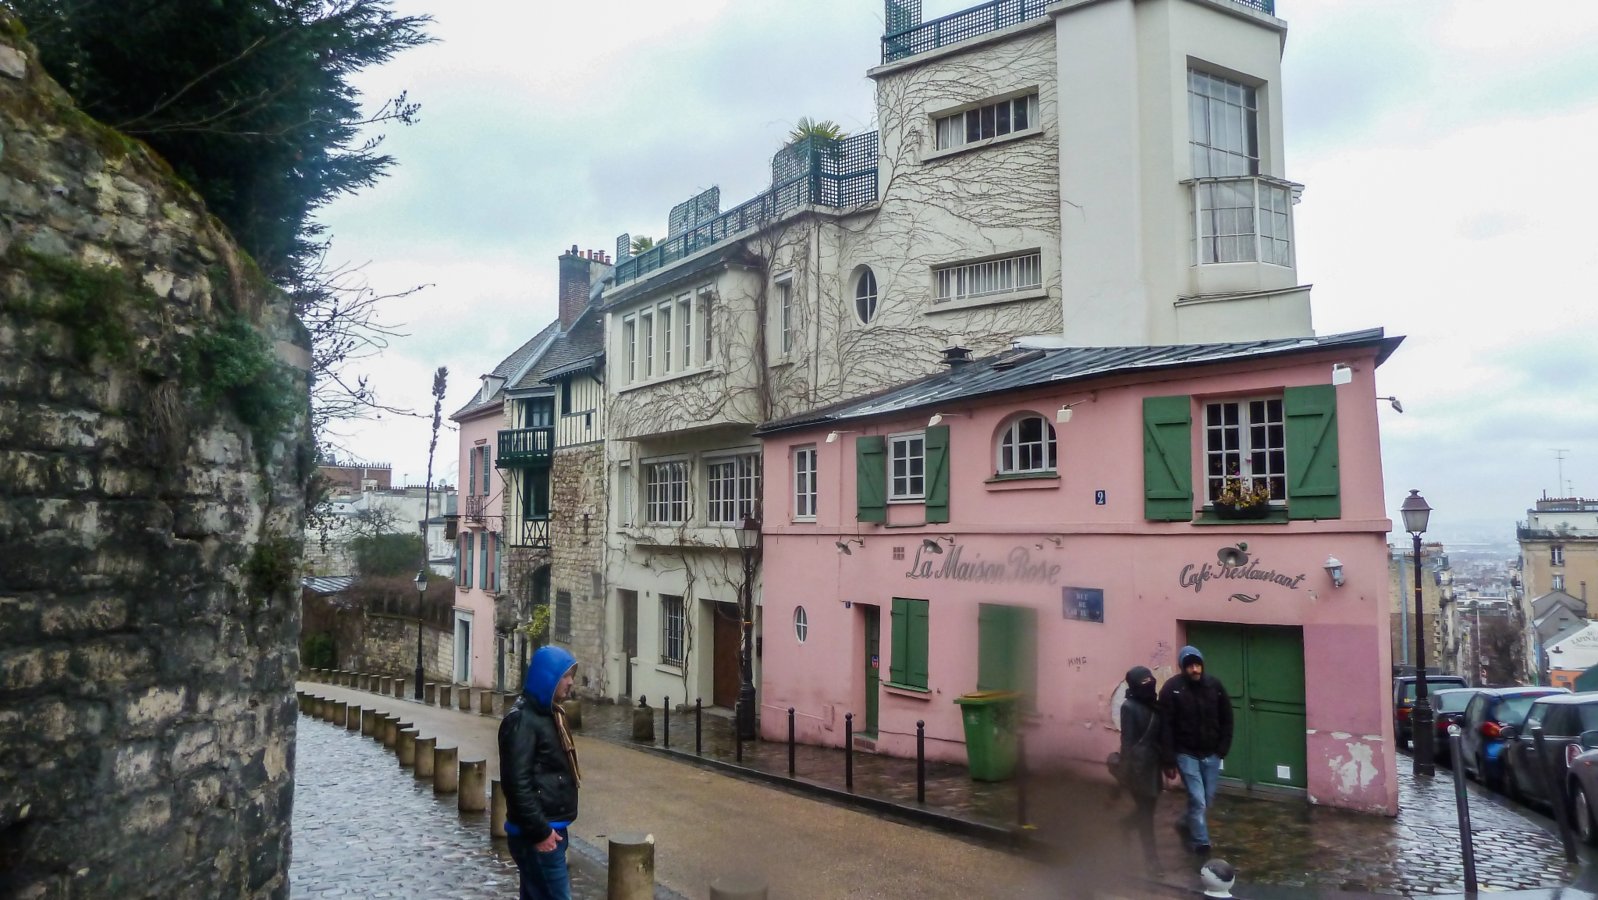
{"x": 813, "y": 173}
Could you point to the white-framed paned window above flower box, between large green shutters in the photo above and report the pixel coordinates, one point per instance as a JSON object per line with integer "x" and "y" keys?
{"x": 1246, "y": 440}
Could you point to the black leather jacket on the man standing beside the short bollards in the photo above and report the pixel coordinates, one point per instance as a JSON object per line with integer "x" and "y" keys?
{"x": 535, "y": 770}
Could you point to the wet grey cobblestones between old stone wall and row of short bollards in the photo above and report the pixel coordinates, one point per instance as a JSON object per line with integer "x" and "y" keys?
{"x": 364, "y": 827}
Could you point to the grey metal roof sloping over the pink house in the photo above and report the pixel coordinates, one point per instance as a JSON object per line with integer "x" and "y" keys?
{"x": 1028, "y": 368}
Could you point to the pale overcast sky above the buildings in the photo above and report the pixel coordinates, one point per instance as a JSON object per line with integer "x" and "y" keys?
{"x": 1445, "y": 148}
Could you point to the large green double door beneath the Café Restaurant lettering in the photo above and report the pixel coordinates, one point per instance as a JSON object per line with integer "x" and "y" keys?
{"x": 1263, "y": 672}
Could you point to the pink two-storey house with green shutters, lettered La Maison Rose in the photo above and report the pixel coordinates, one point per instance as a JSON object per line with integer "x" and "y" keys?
{"x": 1044, "y": 520}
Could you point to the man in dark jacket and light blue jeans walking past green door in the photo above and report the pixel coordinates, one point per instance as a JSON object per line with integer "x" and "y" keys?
{"x": 1196, "y": 730}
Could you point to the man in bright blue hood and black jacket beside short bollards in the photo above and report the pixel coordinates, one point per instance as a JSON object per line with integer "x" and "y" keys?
{"x": 541, "y": 776}
